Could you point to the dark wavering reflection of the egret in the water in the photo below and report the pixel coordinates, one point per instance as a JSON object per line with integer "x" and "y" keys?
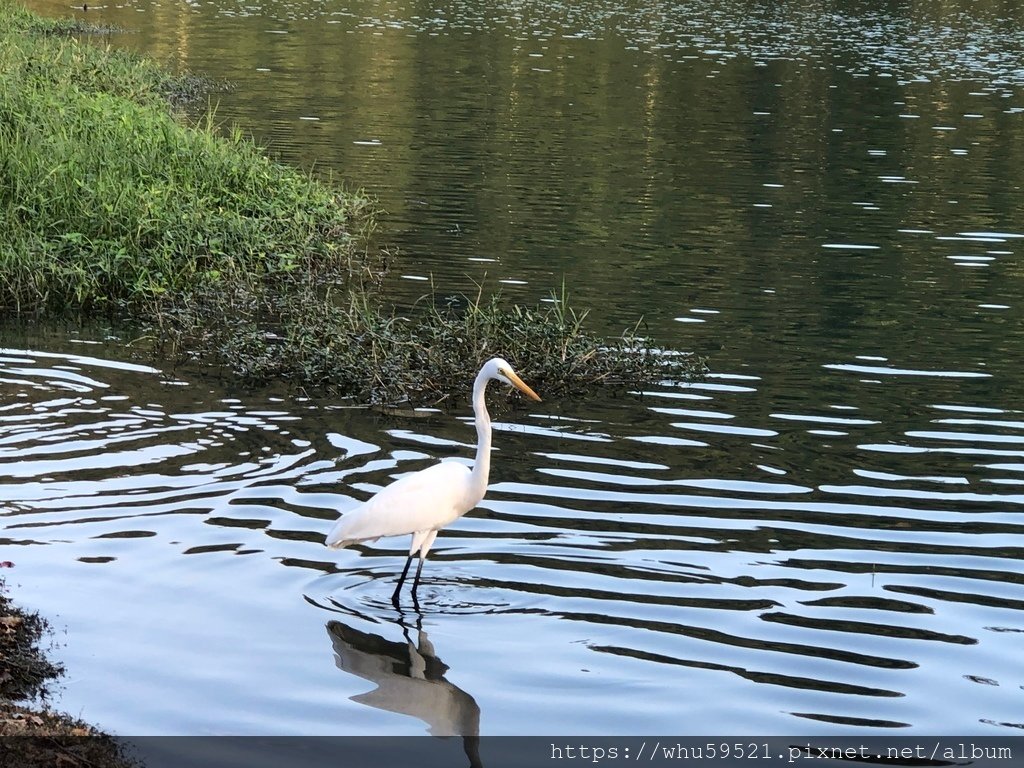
{"x": 410, "y": 680}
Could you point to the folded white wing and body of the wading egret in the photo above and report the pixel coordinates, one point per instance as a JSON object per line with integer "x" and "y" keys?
{"x": 423, "y": 501}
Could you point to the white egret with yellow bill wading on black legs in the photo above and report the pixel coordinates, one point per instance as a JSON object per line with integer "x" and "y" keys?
{"x": 425, "y": 502}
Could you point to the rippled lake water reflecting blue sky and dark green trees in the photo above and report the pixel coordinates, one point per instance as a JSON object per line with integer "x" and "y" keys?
{"x": 825, "y": 536}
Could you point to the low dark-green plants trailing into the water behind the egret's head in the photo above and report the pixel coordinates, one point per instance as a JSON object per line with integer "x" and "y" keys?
{"x": 354, "y": 349}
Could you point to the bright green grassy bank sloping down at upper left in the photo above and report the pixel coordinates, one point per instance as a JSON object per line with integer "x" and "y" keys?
{"x": 109, "y": 200}
